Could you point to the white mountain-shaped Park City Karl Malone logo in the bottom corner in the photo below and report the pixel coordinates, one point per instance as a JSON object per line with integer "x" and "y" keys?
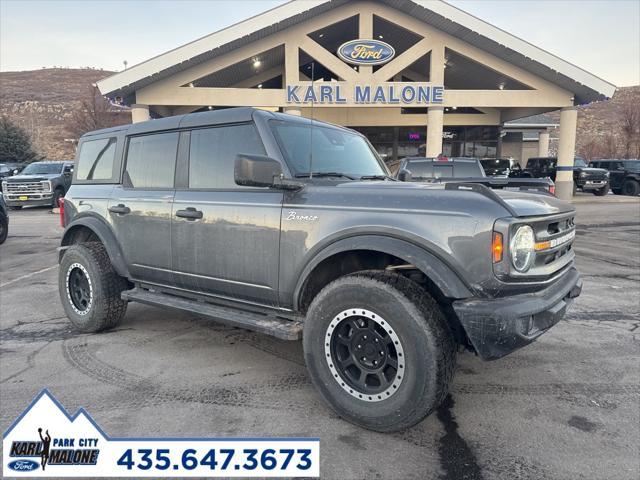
{"x": 65, "y": 441}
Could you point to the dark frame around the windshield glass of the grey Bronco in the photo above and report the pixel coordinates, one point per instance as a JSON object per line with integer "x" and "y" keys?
{"x": 298, "y": 175}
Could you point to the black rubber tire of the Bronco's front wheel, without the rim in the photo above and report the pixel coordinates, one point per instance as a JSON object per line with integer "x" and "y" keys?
{"x": 428, "y": 346}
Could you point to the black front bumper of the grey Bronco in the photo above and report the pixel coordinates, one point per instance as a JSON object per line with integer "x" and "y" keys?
{"x": 499, "y": 326}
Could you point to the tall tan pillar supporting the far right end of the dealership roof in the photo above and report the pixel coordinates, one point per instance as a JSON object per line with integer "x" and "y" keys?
{"x": 566, "y": 152}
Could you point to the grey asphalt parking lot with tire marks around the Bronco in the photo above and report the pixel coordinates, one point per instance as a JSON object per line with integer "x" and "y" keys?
{"x": 565, "y": 407}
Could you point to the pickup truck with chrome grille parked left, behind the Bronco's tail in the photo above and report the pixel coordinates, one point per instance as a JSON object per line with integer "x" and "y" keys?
{"x": 39, "y": 184}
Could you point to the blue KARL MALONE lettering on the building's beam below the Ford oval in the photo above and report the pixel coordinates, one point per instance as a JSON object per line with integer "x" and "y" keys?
{"x": 382, "y": 94}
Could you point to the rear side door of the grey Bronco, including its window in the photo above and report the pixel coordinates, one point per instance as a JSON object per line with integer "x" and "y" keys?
{"x": 140, "y": 208}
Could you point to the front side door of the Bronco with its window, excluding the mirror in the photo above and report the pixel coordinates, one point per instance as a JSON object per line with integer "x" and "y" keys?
{"x": 226, "y": 238}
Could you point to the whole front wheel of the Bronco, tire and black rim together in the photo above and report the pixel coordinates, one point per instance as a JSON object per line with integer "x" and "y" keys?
{"x": 379, "y": 350}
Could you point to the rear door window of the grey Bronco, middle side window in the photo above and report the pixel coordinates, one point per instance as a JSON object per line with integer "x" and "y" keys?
{"x": 151, "y": 161}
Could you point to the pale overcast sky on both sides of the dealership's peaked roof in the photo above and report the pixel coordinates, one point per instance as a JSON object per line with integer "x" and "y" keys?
{"x": 601, "y": 36}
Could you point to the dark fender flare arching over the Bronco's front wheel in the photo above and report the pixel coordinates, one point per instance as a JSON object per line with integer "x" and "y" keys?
{"x": 441, "y": 274}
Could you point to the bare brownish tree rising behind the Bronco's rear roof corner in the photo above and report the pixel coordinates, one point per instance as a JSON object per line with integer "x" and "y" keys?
{"x": 95, "y": 112}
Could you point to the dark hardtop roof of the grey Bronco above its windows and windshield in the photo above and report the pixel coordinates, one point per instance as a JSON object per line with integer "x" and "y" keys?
{"x": 201, "y": 119}
